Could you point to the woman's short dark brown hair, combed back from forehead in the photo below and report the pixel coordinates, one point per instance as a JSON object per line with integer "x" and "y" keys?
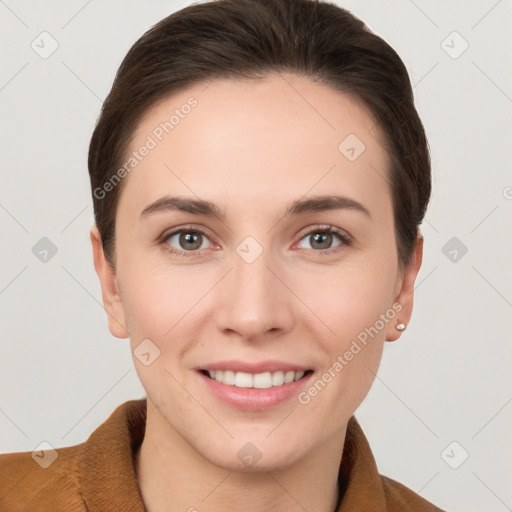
{"x": 246, "y": 39}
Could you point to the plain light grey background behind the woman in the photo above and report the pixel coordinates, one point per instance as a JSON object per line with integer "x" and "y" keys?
{"x": 447, "y": 379}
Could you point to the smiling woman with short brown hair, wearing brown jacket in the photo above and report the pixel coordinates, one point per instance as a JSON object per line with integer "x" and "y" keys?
{"x": 259, "y": 174}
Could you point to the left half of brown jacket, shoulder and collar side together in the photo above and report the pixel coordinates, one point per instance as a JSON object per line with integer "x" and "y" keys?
{"x": 96, "y": 474}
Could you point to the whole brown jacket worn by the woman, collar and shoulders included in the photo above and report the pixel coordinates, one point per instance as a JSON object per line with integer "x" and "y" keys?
{"x": 98, "y": 475}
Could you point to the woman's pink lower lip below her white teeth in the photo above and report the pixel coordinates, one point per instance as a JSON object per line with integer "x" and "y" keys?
{"x": 253, "y": 399}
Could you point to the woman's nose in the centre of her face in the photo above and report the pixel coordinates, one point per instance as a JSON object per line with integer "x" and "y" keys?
{"x": 254, "y": 302}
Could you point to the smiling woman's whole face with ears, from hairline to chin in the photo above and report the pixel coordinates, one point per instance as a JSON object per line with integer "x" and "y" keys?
{"x": 264, "y": 281}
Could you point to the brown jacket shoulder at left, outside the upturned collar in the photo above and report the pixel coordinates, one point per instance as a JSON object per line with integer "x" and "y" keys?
{"x": 42, "y": 480}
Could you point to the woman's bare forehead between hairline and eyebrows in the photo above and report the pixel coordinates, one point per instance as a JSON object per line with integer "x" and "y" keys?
{"x": 259, "y": 136}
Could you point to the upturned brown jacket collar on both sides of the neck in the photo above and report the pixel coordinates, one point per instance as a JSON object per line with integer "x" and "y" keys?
{"x": 109, "y": 481}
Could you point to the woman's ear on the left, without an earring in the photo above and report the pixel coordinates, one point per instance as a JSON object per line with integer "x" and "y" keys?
{"x": 111, "y": 299}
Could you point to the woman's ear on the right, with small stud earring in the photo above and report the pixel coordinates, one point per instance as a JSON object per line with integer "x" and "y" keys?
{"x": 405, "y": 294}
